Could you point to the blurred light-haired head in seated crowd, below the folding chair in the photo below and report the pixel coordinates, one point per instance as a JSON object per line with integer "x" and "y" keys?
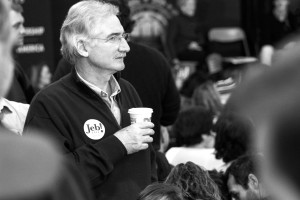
{"x": 207, "y": 96}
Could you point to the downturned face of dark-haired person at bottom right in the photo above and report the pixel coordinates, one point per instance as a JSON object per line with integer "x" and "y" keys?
{"x": 238, "y": 192}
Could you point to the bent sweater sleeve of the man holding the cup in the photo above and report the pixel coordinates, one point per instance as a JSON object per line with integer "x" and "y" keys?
{"x": 95, "y": 160}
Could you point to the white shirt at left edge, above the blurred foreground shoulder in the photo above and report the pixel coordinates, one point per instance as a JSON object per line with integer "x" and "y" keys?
{"x": 13, "y": 115}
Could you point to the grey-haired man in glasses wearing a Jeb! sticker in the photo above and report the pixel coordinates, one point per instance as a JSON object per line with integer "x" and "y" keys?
{"x": 86, "y": 111}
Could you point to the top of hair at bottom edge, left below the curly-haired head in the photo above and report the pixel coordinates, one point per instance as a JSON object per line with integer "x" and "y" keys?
{"x": 161, "y": 191}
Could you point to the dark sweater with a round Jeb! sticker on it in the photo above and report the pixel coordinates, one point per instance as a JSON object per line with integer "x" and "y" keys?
{"x": 62, "y": 111}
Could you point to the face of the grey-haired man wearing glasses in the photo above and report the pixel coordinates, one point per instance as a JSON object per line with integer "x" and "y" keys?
{"x": 105, "y": 51}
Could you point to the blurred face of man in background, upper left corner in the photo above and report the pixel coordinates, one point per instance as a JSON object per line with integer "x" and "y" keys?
{"x": 17, "y": 23}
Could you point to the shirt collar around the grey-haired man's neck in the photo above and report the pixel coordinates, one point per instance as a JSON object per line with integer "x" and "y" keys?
{"x": 115, "y": 87}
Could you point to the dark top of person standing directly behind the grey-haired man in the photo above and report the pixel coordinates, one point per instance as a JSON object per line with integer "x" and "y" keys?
{"x": 150, "y": 74}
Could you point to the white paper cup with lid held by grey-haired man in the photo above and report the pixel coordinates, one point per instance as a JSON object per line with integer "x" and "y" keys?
{"x": 140, "y": 115}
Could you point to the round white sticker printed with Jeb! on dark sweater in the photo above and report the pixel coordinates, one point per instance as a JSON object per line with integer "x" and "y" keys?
{"x": 94, "y": 129}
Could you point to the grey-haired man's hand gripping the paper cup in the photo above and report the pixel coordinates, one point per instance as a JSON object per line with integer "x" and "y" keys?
{"x": 136, "y": 136}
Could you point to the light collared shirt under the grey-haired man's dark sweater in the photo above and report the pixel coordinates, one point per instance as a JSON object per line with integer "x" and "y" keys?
{"x": 109, "y": 100}
